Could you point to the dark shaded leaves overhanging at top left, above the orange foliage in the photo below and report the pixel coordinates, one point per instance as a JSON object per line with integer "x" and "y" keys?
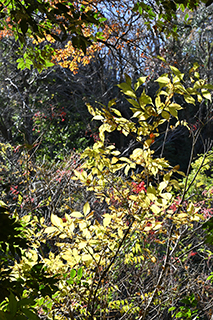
{"x": 66, "y": 18}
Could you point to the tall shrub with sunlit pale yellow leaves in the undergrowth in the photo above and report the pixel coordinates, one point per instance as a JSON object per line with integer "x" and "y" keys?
{"x": 138, "y": 207}
